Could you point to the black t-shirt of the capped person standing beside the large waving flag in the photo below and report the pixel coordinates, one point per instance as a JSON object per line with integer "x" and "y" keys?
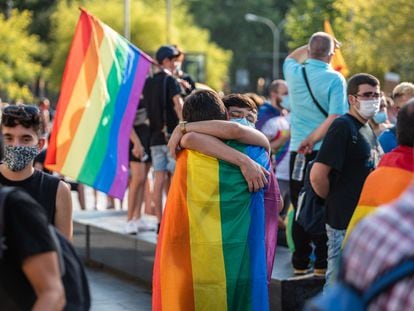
{"x": 157, "y": 95}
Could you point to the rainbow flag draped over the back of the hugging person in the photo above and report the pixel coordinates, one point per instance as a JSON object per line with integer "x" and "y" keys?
{"x": 211, "y": 251}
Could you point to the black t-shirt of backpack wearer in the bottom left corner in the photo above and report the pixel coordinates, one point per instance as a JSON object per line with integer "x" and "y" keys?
{"x": 26, "y": 234}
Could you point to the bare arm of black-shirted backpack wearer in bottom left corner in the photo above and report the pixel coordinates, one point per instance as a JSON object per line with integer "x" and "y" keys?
{"x": 43, "y": 273}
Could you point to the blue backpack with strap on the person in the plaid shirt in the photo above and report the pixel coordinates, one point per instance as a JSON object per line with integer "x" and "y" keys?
{"x": 342, "y": 296}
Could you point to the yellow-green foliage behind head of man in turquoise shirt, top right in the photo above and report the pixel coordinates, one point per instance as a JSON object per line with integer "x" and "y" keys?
{"x": 377, "y": 35}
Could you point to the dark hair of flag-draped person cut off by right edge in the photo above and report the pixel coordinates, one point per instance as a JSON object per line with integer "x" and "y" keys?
{"x": 405, "y": 124}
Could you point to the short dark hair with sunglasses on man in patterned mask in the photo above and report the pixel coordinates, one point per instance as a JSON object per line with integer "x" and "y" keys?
{"x": 27, "y": 116}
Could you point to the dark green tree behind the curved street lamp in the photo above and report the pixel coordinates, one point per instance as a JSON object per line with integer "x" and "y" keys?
{"x": 251, "y": 43}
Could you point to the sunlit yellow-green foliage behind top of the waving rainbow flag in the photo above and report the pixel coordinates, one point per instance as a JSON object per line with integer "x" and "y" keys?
{"x": 148, "y": 28}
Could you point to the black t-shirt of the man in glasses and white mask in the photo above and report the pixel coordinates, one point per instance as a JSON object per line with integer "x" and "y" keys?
{"x": 350, "y": 148}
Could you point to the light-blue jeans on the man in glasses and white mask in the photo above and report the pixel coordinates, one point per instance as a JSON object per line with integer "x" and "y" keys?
{"x": 335, "y": 239}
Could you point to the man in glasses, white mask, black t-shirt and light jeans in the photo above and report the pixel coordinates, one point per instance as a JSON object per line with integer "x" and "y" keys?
{"x": 349, "y": 152}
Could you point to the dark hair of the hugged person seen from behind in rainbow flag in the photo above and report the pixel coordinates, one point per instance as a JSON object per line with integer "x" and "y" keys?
{"x": 204, "y": 105}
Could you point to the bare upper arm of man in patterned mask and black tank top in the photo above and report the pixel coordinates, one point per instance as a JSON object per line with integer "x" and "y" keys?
{"x": 63, "y": 216}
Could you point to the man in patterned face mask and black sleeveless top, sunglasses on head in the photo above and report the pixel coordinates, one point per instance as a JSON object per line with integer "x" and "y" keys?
{"x": 21, "y": 127}
